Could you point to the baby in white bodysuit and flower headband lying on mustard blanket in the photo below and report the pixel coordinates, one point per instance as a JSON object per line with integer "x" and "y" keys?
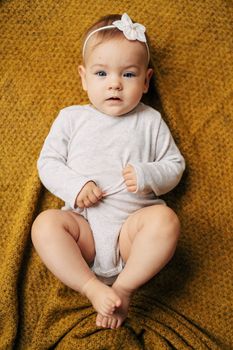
{"x": 109, "y": 161}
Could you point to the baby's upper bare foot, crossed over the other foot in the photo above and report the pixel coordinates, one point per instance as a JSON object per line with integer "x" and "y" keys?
{"x": 103, "y": 298}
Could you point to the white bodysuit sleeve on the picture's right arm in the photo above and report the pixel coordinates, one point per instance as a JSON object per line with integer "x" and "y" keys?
{"x": 165, "y": 172}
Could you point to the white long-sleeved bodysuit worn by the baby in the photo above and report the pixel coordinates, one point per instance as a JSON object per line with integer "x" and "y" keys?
{"x": 86, "y": 145}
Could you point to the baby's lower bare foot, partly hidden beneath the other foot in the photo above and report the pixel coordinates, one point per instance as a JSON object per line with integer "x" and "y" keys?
{"x": 117, "y": 318}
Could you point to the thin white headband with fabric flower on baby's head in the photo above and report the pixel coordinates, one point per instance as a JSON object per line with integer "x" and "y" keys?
{"x": 132, "y": 31}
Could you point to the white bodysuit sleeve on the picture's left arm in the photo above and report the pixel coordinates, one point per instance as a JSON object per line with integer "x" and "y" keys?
{"x": 53, "y": 170}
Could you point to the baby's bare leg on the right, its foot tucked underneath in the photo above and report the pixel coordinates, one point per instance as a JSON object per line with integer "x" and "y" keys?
{"x": 147, "y": 242}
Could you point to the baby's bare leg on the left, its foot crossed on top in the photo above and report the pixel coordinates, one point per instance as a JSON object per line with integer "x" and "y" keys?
{"x": 65, "y": 243}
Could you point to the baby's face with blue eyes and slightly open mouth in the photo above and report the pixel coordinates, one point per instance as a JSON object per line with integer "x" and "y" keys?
{"x": 115, "y": 75}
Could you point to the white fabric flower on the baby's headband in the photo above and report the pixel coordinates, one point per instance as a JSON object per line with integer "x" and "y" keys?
{"x": 132, "y": 31}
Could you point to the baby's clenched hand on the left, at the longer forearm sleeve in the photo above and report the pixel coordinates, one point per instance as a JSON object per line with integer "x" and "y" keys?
{"x": 89, "y": 195}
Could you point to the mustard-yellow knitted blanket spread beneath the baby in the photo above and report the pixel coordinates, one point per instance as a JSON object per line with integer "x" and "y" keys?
{"x": 188, "y": 305}
